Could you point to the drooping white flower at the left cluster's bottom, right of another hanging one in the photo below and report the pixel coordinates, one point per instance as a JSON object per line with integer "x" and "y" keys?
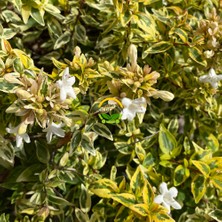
{"x": 55, "y": 129}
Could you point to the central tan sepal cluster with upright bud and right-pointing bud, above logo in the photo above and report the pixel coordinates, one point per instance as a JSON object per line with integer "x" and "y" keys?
{"x": 134, "y": 80}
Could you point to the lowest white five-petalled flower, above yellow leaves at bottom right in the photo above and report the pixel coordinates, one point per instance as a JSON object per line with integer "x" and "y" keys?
{"x": 166, "y": 197}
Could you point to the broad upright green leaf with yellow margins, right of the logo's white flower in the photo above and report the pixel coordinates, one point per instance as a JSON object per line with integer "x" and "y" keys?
{"x": 167, "y": 141}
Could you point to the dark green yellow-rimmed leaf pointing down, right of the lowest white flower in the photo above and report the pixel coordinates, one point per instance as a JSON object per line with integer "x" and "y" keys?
{"x": 198, "y": 187}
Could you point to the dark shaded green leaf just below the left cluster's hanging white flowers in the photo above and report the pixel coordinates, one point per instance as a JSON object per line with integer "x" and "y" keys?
{"x": 42, "y": 151}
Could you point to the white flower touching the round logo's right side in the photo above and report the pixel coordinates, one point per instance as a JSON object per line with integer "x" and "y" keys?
{"x": 132, "y": 107}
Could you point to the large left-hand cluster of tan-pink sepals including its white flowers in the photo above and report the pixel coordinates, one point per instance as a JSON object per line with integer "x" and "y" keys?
{"x": 41, "y": 101}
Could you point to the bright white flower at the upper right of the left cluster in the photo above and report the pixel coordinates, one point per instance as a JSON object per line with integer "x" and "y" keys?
{"x": 65, "y": 85}
